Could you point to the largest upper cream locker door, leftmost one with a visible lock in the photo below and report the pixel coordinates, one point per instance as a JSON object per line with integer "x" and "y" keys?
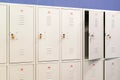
{"x": 21, "y": 33}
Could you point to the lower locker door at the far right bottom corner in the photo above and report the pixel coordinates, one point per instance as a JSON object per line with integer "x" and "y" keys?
{"x": 112, "y": 69}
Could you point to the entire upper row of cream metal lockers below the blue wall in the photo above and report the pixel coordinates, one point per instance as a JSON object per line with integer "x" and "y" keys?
{"x": 71, "y": 32}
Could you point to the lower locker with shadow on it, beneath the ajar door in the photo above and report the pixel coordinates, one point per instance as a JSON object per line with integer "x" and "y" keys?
{"x": 93, "y": 70}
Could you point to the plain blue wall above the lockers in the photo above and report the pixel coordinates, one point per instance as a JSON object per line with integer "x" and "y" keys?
{"x": 93, "y": 4}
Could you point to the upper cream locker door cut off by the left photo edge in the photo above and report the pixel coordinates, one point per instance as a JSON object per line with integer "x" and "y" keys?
{"x": 3, "y": 33}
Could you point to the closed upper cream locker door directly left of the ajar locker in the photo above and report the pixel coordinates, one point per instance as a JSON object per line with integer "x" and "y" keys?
{"x": 71, "y": 34}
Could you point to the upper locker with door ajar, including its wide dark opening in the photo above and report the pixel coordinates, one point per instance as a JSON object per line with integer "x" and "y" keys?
{"x": 93, "y": 34}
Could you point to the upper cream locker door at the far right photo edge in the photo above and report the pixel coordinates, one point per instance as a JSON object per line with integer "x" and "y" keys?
{"x": 112, "y": 37}
